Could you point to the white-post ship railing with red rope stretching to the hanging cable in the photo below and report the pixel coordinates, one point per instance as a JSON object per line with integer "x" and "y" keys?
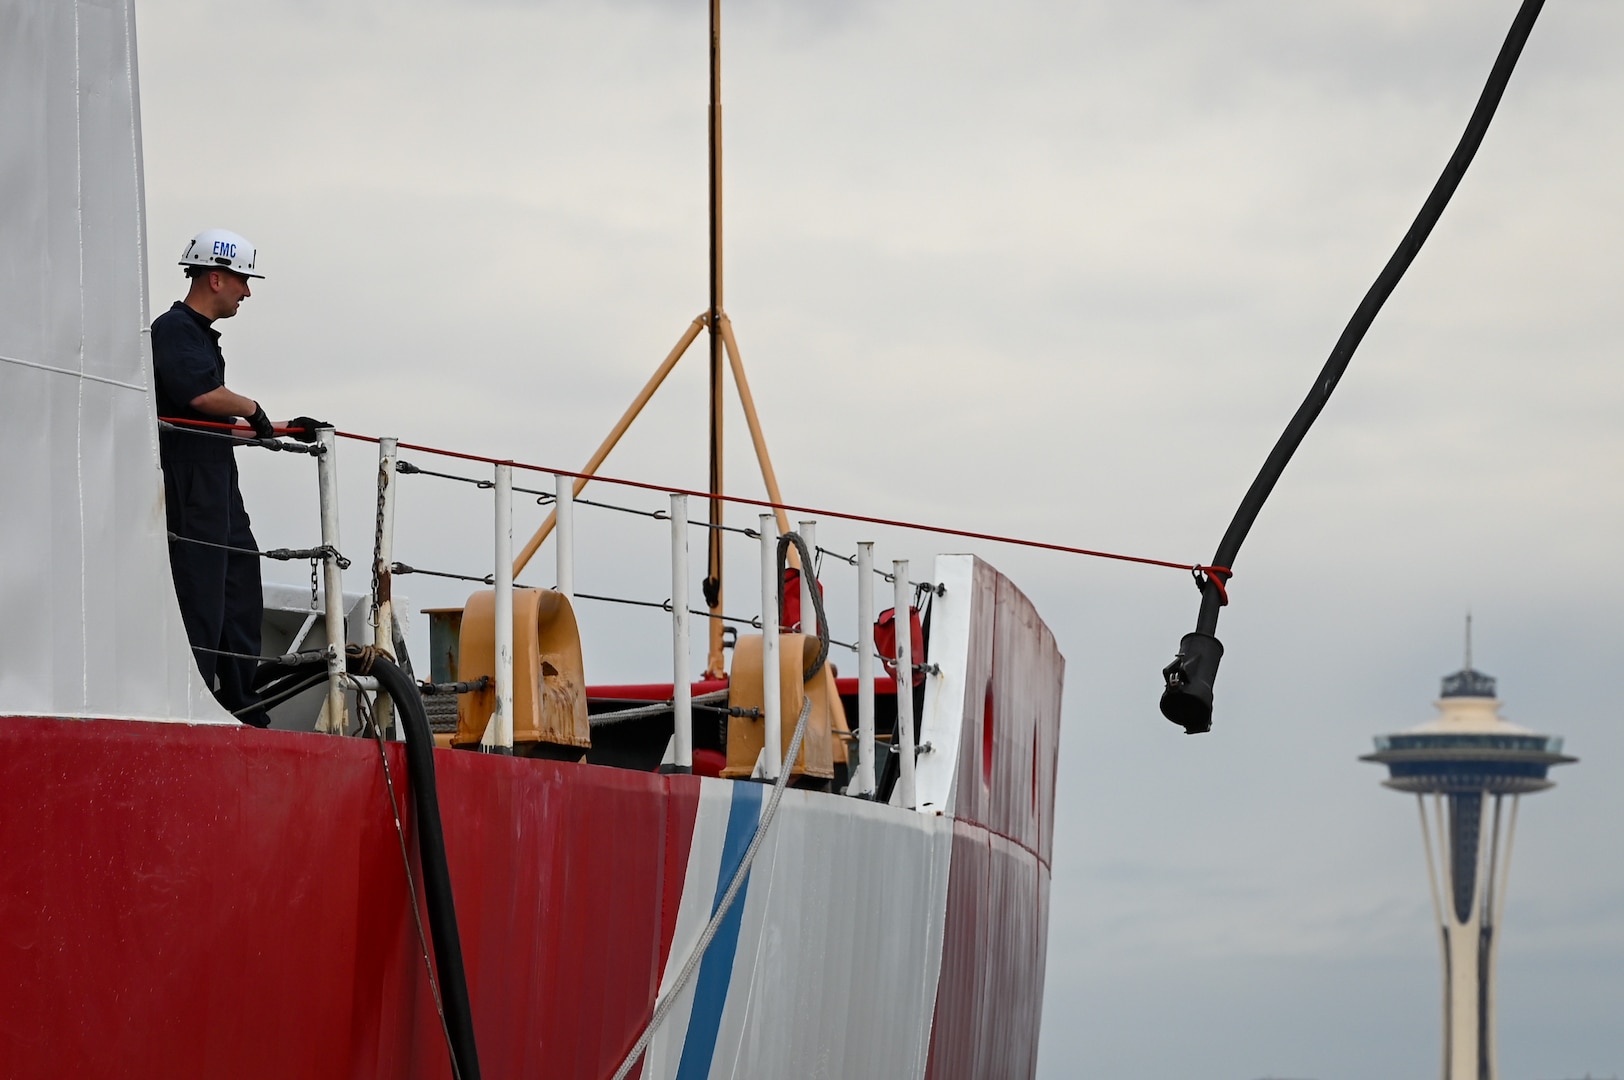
{"x": 382, "y": 626}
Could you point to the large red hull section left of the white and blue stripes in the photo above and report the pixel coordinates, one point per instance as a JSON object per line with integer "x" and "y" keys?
{"x": 210, "y": 902}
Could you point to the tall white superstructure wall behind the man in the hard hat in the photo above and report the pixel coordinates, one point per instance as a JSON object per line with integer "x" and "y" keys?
{"x": 92, "y": 626}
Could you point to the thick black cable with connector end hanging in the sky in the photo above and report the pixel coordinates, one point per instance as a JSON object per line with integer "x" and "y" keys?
{"x": 1190, "y": 678}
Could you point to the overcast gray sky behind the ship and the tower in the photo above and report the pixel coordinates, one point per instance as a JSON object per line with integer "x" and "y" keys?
{"x": 1060, "y": 270}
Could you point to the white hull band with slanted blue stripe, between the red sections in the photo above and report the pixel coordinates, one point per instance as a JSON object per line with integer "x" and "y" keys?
{"x": 839, "y": 946}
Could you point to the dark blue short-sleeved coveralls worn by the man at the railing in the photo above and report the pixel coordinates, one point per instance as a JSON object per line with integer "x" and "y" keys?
{"x": 220, "y": 592}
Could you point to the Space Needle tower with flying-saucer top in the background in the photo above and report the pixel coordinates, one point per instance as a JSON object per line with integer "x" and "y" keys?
{"x": 1462, "y": 767}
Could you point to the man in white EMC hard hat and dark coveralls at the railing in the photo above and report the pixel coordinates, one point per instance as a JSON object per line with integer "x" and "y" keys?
{"x": 218, "y": 590}
